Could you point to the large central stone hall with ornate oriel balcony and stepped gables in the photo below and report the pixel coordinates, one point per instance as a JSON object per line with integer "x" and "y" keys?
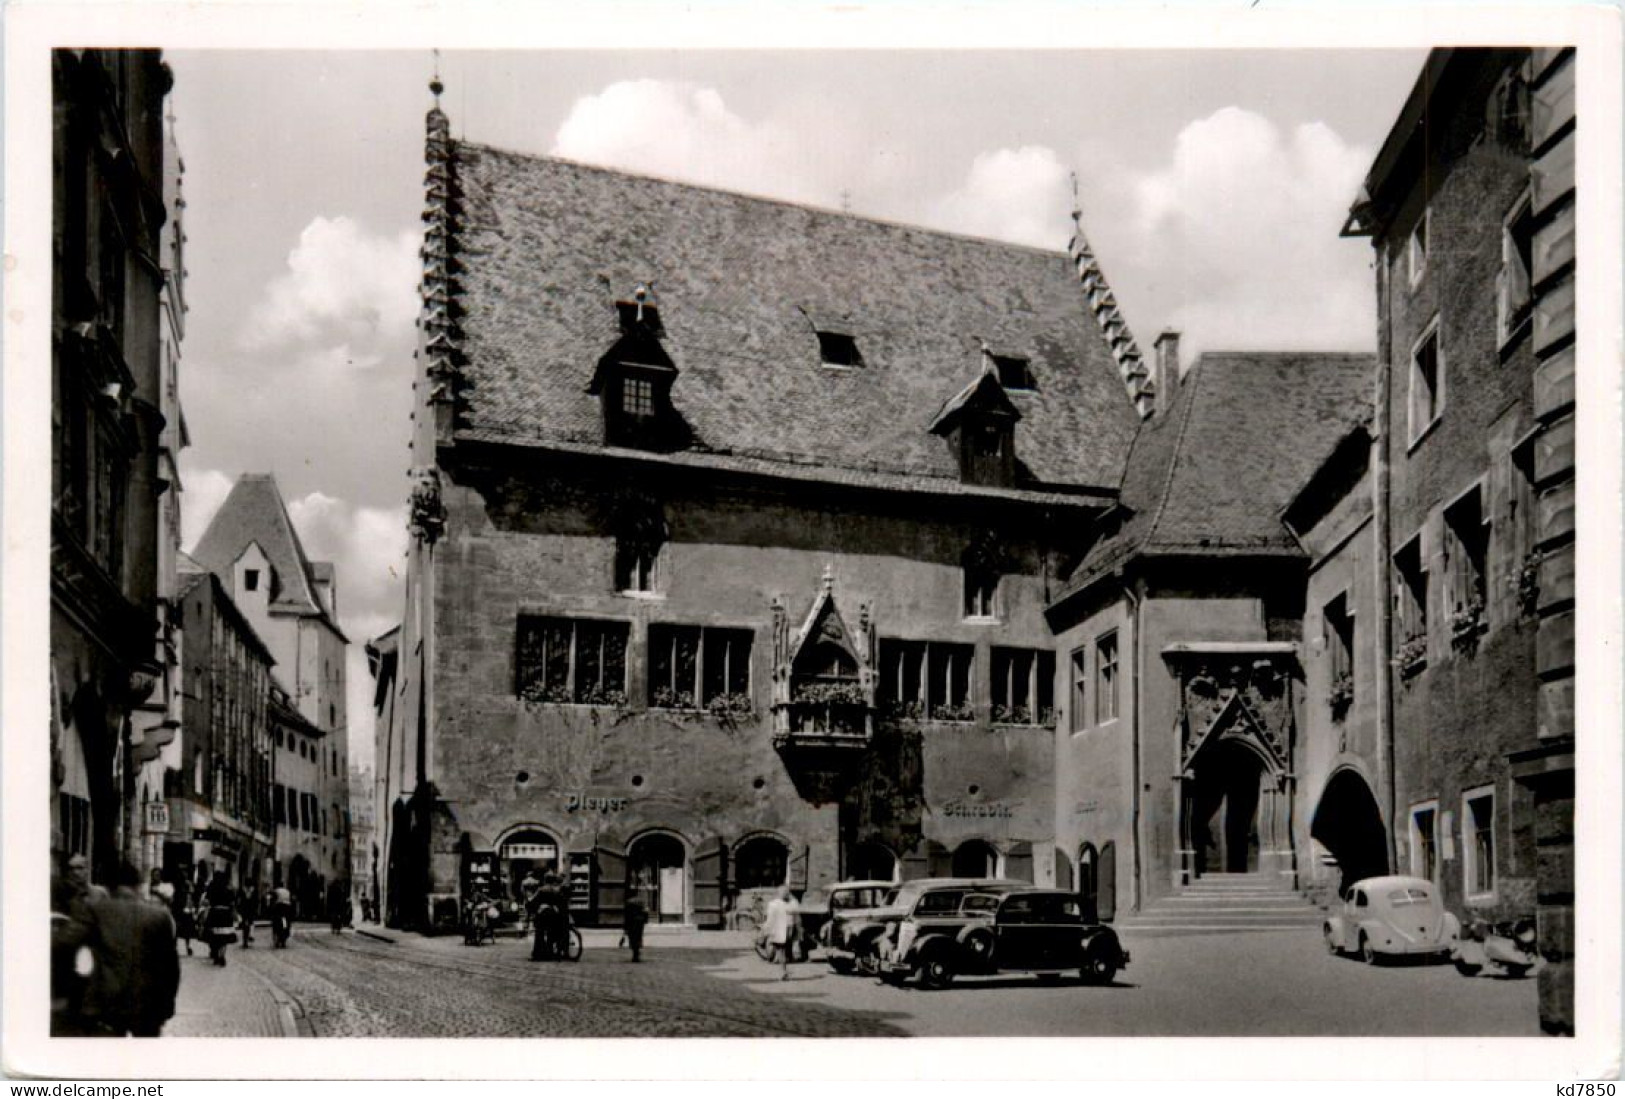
{"x": 732, "y": 549}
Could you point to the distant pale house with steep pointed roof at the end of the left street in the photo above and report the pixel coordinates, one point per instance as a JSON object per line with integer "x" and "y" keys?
{"x": 293, "y": 606}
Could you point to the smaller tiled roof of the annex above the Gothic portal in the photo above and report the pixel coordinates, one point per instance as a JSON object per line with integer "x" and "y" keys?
{"x": 1211, "y": 476}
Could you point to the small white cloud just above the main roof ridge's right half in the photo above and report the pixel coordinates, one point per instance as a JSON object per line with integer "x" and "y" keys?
{"x": 1020, "y": 196}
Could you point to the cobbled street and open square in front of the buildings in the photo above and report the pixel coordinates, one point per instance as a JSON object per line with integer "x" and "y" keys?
{"x": 1239, "y": 984}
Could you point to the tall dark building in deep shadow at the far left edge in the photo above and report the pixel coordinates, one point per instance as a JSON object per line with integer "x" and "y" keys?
{"x": 108, "y": 480}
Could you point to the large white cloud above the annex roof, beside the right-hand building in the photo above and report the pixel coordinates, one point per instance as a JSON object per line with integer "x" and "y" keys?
{"x": 1234, "y": 240}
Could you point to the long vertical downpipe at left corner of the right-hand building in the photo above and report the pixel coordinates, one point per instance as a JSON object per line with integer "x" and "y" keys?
{"x": 1385, "y": 580}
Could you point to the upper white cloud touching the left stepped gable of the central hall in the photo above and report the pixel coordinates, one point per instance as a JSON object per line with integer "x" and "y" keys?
{"x": 344, "y": 287}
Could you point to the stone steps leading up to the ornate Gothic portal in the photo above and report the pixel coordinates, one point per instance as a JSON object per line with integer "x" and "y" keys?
{"x": 1220, "y": 905}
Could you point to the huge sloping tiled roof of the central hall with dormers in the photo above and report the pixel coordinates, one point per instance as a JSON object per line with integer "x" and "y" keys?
{"x": 547, "y": 248}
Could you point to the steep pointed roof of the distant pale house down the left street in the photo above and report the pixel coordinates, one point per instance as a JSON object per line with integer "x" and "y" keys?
{"x": 254, "y": 513}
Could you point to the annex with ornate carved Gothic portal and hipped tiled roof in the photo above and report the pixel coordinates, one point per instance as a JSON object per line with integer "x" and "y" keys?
{"x": 1179, "y": 630}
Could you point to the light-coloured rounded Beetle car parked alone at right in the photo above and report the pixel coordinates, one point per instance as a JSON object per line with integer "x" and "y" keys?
{"x": 1390, "y": 918}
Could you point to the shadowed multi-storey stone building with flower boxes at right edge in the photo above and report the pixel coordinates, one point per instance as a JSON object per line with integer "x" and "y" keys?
{"x": 1470, "y": 209}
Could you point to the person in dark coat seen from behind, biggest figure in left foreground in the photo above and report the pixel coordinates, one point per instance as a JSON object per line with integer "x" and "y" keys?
{"x": 136, "y": 978}
